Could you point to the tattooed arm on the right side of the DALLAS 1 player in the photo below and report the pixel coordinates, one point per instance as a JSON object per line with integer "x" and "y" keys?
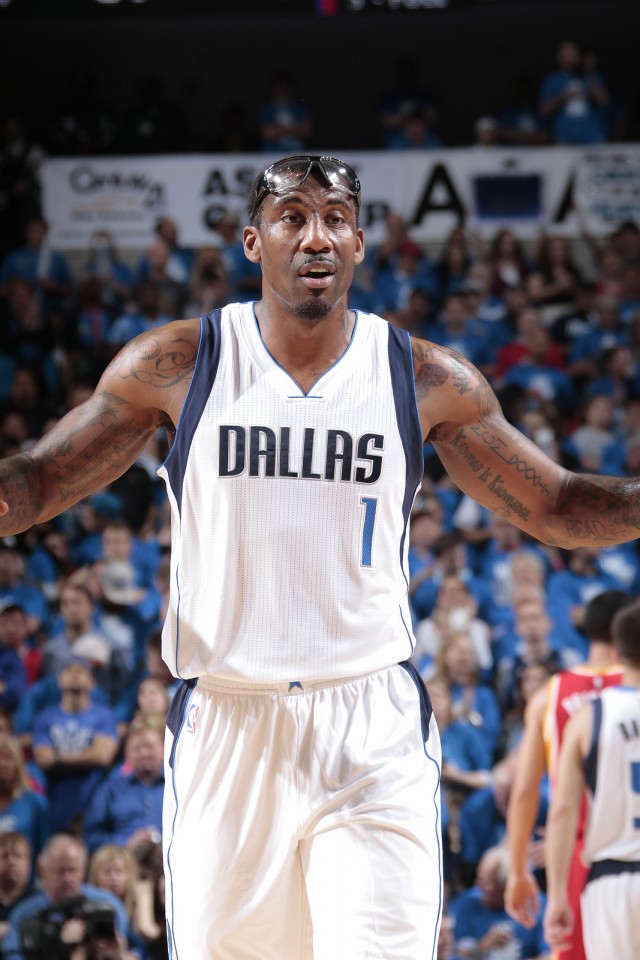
{"x": 503, "y": 470}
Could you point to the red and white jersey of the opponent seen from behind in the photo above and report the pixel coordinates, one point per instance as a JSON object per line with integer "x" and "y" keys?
{"x": 568, "y": 691}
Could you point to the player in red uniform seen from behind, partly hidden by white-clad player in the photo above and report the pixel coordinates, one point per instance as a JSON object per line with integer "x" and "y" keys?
{"x": 545, "y": 719}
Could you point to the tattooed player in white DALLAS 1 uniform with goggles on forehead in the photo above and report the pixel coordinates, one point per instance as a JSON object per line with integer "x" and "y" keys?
{"x": 302, "y": 803}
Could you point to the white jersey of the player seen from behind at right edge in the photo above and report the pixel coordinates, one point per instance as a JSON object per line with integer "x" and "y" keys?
{"x": 612, "y": 770}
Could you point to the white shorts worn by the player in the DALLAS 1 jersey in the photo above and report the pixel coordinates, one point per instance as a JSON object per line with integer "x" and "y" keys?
{"x": 303, "y": 823}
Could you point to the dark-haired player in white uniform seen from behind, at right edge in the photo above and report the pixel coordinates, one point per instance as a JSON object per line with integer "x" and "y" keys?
{"x": 601, "y": 749}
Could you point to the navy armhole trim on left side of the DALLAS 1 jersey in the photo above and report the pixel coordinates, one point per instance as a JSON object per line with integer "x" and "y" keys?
{"x": 204, "y": 376}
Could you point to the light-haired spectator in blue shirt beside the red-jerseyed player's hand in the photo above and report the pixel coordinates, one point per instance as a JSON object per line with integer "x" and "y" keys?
{"x": 482, "y": 927}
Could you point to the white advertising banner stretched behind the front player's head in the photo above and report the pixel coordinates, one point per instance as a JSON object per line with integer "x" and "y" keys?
{"x": 526, "y": 190}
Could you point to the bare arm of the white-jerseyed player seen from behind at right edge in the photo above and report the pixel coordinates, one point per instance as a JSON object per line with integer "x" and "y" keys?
{"x": 562, "y": 824}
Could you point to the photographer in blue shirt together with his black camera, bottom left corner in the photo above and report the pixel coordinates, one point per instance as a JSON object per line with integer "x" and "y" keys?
{"x": 70, "y": 915}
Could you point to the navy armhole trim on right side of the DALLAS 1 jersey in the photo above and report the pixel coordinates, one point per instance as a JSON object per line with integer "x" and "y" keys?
{"x": 404, "y": 397}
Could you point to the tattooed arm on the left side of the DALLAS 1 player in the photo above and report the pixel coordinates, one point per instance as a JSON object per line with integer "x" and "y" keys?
{"x": 143, "y": 388}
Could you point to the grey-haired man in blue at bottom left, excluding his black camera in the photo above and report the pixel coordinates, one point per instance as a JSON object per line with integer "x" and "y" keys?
{"x": 62, "y": 868}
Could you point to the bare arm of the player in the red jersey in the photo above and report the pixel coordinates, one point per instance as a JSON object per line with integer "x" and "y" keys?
{"x": 522, "y": 893}
